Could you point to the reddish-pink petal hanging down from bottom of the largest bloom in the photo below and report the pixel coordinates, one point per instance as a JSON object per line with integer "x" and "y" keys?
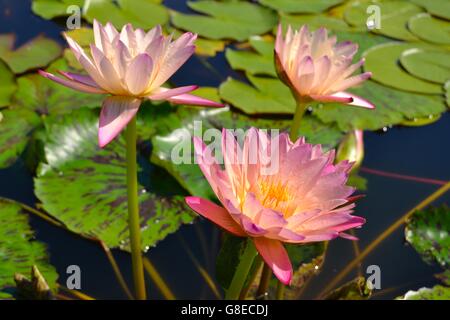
{"x": 276, "y": 257}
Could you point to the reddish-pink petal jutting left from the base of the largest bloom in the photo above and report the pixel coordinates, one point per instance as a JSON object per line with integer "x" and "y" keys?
{"x": 216, "y": 214}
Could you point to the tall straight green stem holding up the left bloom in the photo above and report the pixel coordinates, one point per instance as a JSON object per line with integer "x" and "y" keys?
{"x": 133, "y": 212}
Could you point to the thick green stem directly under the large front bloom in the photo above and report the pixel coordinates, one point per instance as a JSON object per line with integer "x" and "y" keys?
{"x": 242, "y": 271}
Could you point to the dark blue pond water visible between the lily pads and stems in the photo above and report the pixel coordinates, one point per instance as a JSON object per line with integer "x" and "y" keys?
{"x": 421, "y": 152}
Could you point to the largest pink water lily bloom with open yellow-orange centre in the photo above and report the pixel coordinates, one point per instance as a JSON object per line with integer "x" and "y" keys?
{"x": 304, "y": 200}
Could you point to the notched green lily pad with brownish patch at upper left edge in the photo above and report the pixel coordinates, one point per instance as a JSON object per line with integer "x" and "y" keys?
{"x": 36, "y": 53}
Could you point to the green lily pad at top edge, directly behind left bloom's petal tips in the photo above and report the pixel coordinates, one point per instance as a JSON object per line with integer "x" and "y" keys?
{"x": 143, "y": 14}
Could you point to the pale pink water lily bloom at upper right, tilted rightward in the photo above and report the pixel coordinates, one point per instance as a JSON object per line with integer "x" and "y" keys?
{"x": 315, "y": 67}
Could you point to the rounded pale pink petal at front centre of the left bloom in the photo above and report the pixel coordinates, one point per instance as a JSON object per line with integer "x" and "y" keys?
{"x": 138, "y": 74}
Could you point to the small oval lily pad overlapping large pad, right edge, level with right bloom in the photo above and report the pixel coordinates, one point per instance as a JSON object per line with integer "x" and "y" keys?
{"x": 433, "y": 66}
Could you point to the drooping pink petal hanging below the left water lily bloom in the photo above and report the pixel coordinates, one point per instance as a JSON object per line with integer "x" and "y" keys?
{"x": 116, "y": 112}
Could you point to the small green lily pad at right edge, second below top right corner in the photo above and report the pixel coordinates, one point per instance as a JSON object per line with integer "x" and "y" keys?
{"x": 430, "y": 29}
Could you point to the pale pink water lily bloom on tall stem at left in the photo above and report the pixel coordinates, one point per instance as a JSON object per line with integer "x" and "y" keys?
{"x": 131, "y": 66}
